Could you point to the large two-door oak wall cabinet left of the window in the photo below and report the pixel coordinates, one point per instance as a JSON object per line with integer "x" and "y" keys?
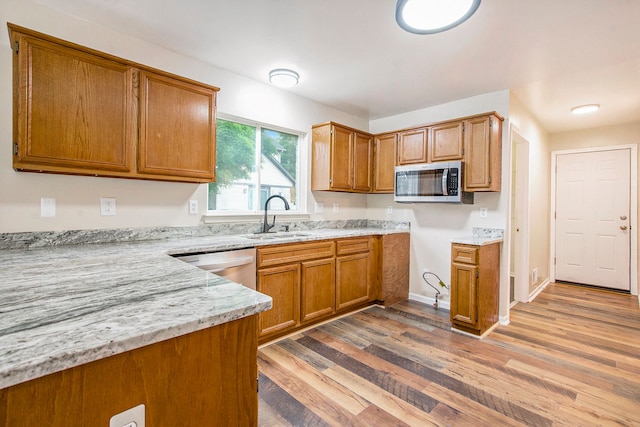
{"x": 80, "y": 111}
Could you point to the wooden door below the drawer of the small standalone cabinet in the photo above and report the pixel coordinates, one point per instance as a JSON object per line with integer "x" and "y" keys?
{"x": 464, "y": 308}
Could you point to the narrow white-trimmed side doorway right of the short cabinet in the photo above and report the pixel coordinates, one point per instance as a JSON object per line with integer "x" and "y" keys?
{"x": 520, "y": 240}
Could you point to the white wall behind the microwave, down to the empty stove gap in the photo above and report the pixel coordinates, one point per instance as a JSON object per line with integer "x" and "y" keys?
{"x": 433, "y": 225}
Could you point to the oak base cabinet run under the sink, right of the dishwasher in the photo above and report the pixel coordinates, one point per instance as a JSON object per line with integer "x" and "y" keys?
{"x": 313, "y": 281}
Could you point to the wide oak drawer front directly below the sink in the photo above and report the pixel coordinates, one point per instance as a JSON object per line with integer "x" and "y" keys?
{"x": 295, "y": 252}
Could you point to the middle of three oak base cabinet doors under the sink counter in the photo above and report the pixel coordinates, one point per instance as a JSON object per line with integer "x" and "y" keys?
{"x": 317, "y": 289}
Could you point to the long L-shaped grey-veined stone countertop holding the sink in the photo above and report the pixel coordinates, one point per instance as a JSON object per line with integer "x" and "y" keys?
{"x": 67, "y": 304}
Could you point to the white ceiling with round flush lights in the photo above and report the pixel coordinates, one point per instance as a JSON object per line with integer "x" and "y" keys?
{"x": 351, "y": 55}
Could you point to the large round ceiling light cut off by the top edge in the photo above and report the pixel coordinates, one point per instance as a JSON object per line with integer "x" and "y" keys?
{"x": 433, "y": 16}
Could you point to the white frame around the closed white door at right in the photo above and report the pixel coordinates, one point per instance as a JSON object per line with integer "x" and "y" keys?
{"x": 633, "y": 209}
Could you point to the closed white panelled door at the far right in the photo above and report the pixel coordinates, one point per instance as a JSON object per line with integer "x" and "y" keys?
{"x": 592, "y": 218}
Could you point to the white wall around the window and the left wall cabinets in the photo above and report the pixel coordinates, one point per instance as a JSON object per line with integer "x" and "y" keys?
{"x": 139, "y": 203}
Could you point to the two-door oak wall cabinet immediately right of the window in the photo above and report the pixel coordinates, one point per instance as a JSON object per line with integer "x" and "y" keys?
{"x": 341, "y": 158}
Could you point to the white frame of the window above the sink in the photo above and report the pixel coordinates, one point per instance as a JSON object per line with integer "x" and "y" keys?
{"x": 301, "y": 178}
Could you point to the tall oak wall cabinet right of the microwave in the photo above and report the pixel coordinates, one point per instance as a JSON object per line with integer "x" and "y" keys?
{"x": 483, "y": 153}
